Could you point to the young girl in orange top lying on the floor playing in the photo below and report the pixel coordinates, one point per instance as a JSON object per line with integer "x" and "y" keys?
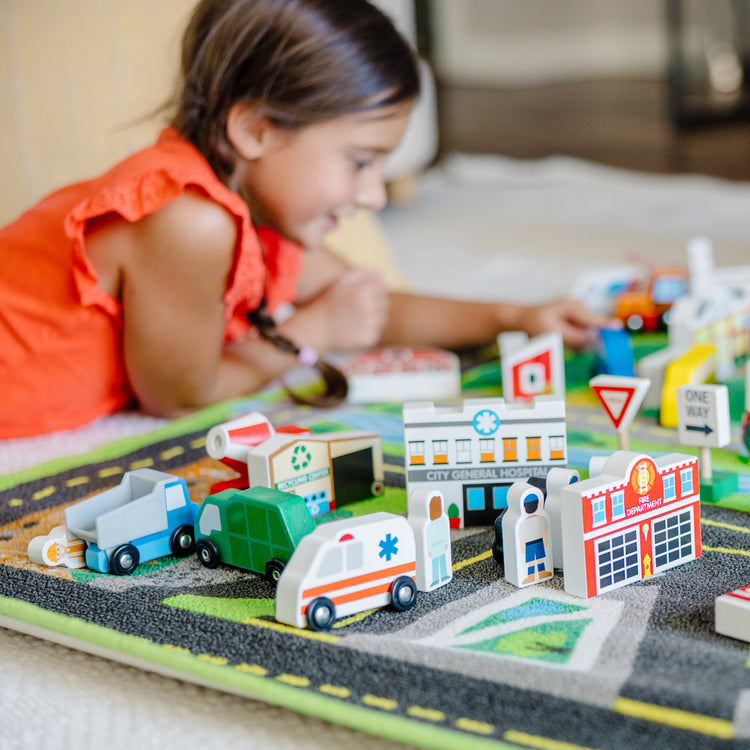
{"x": 136, "y": 287}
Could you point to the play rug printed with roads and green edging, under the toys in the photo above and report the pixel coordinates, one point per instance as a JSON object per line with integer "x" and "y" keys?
{"x": 476, "y": 663}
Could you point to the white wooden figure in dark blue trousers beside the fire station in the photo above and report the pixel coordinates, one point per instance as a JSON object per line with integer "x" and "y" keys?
{"x": 527, "y": 551}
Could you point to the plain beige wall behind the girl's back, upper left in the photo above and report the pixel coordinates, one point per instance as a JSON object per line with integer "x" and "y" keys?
{"x": 74, "y": 76}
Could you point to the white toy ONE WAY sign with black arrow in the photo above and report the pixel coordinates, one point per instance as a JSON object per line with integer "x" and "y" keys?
{"x": 703, "y": 415}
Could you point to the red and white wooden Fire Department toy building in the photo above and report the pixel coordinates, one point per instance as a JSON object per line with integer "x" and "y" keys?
{"x": 640, "y": 516}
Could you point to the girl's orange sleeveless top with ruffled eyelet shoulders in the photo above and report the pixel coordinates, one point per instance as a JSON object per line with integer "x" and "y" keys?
{"x": 61, "y": 359}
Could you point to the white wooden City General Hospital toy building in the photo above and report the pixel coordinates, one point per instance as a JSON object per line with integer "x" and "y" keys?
{"x": 473, "y": 453}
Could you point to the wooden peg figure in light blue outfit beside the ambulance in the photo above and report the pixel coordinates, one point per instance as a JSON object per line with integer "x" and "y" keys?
{"x": 429, "y": 522}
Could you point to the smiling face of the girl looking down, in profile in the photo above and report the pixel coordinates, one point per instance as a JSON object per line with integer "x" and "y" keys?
{"x": 306, "y": 180}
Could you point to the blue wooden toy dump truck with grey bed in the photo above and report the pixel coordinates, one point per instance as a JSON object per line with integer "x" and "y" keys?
{"x": 148, "y": 515}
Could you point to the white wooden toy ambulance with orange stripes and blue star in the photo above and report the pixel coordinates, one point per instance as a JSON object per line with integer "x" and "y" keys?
{"x": 348, "y": 566}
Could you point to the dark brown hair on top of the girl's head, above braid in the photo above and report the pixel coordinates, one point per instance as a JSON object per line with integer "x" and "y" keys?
{"x": 297, "y": 61}
